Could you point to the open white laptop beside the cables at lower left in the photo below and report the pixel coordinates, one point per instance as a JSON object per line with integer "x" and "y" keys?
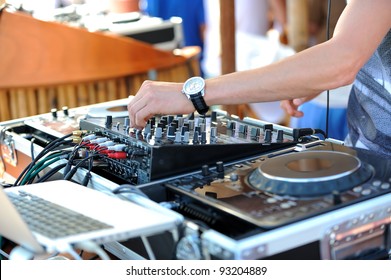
{"x": 113, "y": 219}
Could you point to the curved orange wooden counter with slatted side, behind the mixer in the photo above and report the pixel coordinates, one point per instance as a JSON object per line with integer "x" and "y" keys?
{"x": 45, "y": 65}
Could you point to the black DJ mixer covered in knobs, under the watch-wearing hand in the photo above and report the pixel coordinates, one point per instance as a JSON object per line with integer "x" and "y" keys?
{"x": 170, "y": 145}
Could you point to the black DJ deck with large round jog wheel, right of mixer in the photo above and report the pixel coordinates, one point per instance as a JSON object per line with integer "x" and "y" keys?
{"x": 275, "y": 190}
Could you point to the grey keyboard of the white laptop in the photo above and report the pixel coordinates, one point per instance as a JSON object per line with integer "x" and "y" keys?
{"x": 52, "y": 220}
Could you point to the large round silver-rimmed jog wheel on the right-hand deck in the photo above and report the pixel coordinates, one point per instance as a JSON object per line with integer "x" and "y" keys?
{"x": 311, "y": 173}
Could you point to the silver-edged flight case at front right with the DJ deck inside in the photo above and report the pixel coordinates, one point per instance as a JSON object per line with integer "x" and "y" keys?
{"x": 319, "y": 200}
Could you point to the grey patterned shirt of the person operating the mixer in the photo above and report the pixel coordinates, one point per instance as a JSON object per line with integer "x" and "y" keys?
{"x": 369, "y": 107}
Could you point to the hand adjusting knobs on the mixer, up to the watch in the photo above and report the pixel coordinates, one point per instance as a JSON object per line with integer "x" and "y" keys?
{"x": 157, "y": 98}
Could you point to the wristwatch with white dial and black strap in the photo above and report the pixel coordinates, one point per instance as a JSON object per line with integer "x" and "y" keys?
{"x": 194, "y": 89}
